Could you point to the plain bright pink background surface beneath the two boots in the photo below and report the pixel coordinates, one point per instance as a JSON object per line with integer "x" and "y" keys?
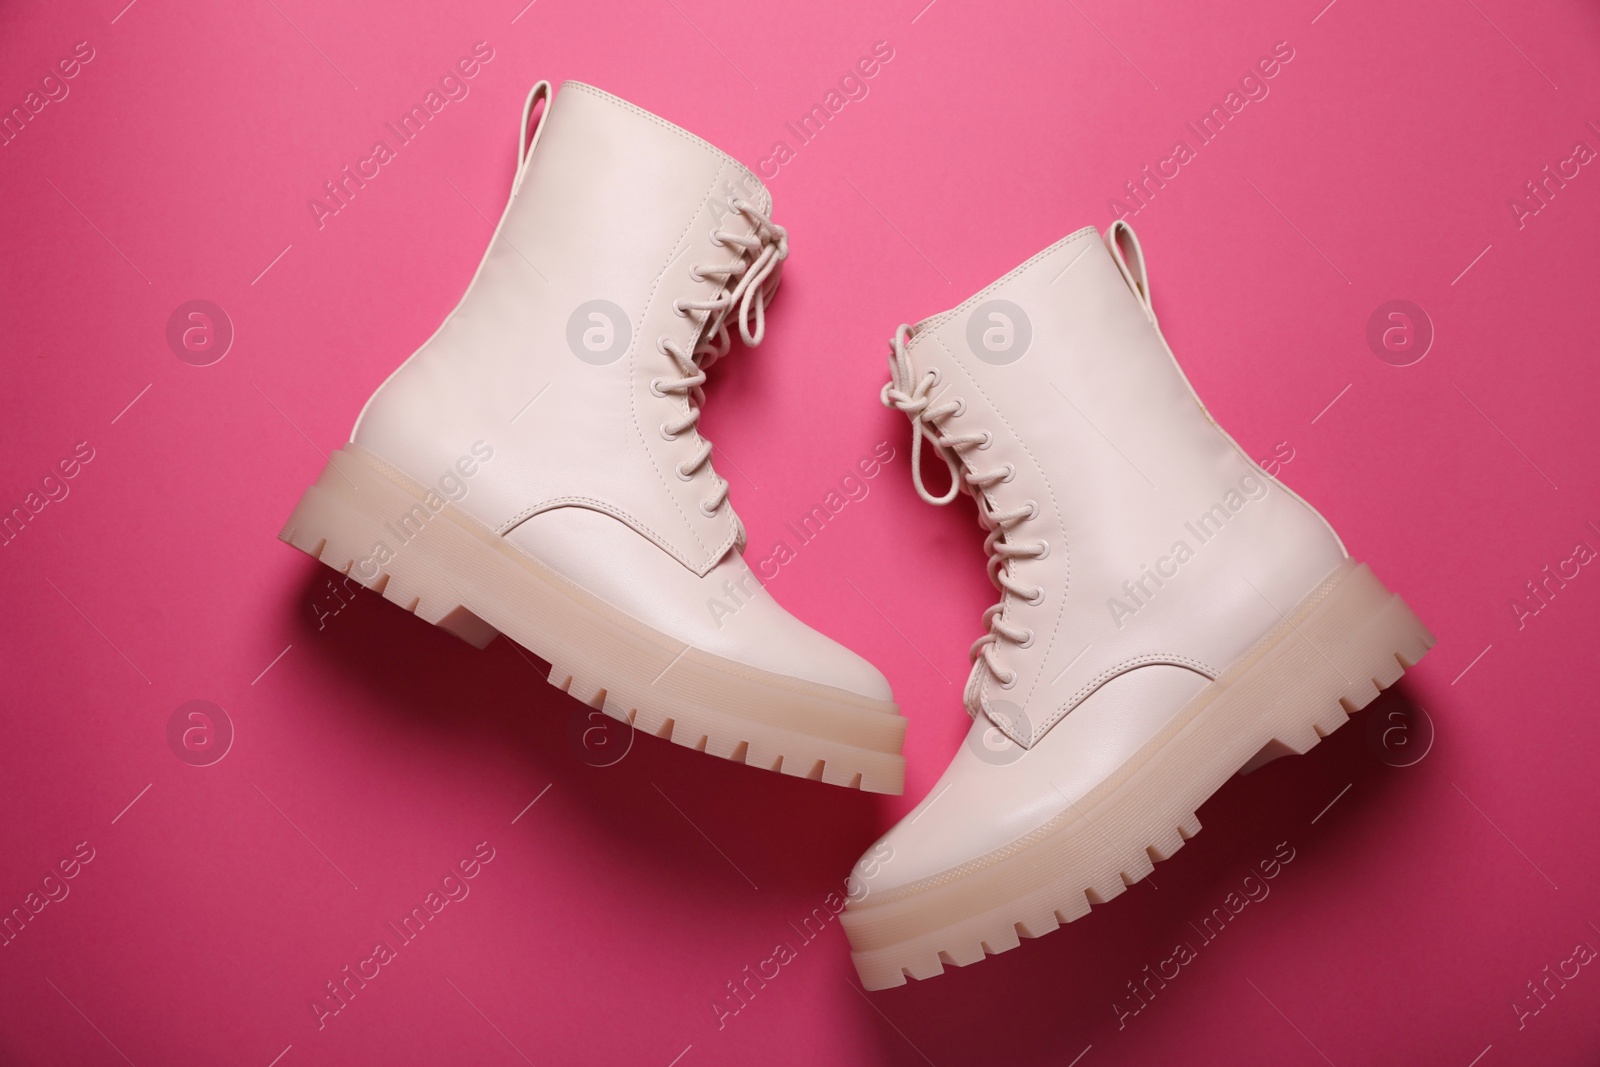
{"x": 375, "y": 753}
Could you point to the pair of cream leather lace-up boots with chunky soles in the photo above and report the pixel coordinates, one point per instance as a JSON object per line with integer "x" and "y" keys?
{"x": 1169, "y": 613}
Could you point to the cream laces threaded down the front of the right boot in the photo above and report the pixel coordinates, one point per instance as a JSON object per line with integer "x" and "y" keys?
{"x": 913, "y": 396}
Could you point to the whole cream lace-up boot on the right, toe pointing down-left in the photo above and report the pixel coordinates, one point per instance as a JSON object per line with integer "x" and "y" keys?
{"x": 1169, "y": 615}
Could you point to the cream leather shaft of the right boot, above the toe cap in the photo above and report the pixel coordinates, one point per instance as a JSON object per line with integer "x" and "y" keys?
{"x": 1164, "y": 541}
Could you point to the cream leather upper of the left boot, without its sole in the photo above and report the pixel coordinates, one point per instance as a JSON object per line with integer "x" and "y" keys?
{"x": 554, "y": 359}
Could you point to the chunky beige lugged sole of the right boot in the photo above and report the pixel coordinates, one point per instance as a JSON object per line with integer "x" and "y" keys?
{"x": 1302, "y": 682}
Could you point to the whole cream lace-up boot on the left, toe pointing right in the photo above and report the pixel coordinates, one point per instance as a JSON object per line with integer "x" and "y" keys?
{"x": 535, "y": 468}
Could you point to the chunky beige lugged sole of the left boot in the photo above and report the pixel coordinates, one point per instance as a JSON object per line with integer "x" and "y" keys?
{"x": 372, "y": 522}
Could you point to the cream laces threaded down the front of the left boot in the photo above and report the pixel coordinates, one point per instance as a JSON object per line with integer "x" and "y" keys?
{"x": 754, "y": 279}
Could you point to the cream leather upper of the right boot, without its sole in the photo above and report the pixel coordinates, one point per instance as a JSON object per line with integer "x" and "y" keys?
{"x": 1062, "y": 369}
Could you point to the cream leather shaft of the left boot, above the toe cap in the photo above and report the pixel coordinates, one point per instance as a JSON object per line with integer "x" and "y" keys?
{"x": 553, "y": 353}
